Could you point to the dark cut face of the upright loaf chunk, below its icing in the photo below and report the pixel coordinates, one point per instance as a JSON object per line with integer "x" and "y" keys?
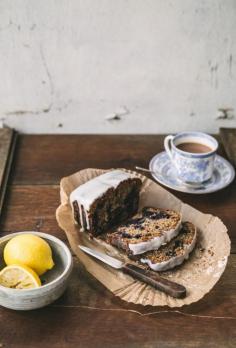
{"x": 113, "y": 207}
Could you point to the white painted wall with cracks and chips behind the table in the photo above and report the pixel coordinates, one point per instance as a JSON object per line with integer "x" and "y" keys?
{"x": 163, "y": 66}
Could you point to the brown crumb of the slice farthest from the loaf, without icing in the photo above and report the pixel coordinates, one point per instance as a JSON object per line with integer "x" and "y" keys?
{"x": 176, "y": 247}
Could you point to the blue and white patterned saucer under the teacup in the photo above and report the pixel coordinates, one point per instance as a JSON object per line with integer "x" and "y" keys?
{"x": 165, "y": 173}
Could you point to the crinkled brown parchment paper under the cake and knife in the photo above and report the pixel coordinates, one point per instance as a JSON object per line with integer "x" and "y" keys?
{"x": 198, "y": 274}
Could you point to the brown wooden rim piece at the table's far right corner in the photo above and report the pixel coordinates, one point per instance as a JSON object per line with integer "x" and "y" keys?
{"x": 228, "y": 137}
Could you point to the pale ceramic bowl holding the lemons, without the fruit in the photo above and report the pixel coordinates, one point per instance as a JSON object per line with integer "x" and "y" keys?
{"x": 54, "y": 281}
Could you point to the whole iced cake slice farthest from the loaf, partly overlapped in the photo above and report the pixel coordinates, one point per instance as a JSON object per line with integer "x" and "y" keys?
{"x": 173, "y": 253}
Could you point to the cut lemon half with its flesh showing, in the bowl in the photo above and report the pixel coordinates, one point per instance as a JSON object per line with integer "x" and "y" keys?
{"x": 19, "y": 277}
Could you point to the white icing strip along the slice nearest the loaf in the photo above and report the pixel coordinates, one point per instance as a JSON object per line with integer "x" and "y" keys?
{"x": 154, "y": 243}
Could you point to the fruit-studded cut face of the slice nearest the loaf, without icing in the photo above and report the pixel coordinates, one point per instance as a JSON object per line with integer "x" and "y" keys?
{"x": 137, "y": 230}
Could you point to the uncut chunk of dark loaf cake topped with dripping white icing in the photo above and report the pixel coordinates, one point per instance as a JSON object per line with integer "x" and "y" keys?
{"x": 105, "y": 201}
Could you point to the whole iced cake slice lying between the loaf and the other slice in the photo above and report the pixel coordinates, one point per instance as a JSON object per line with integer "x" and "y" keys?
{"x": 146, "y": 231}
